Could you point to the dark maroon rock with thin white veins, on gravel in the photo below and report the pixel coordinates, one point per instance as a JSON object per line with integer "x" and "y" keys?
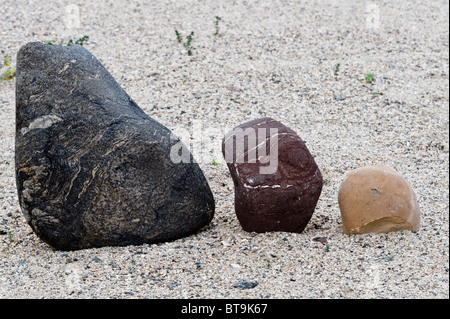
{"x": 279, "y": 189}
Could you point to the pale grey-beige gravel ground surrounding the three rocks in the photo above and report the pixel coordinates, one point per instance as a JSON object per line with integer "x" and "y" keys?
{"x": 268, "y": 58}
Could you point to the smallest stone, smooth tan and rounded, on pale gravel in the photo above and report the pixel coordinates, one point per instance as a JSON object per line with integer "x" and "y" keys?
{"x": 377, "y": 199}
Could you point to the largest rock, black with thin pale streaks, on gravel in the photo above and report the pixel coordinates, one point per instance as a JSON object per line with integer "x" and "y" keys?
{"x": 92, "y": 168}
